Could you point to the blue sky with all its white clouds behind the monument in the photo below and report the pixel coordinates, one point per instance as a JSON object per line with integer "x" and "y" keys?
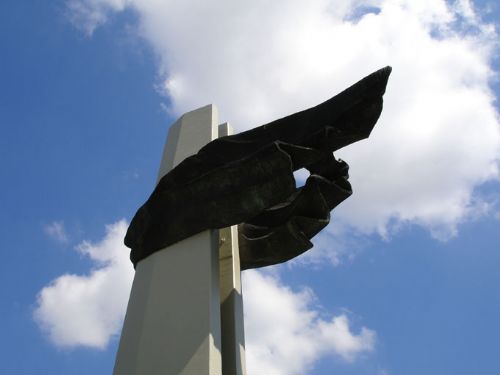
{"x": 405, "y": 278}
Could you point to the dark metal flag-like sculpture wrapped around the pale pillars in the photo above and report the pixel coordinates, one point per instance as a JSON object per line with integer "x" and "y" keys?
{"x": 247, "y": 179}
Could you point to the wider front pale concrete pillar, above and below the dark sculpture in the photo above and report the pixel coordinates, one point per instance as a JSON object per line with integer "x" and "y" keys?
{"x": 172, "y": 325}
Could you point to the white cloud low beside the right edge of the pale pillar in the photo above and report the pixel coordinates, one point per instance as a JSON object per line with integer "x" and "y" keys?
{"x": 285, "y": 333}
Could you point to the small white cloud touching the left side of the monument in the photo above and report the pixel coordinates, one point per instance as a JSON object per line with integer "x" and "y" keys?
{"x": 88, "y": 310}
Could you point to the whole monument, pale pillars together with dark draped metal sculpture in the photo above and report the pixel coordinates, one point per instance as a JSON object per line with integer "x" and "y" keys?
{"x": 228, "y": 202}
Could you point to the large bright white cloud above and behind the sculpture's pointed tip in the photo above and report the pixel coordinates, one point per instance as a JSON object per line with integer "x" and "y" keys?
{"x": 438, "y": 137}
